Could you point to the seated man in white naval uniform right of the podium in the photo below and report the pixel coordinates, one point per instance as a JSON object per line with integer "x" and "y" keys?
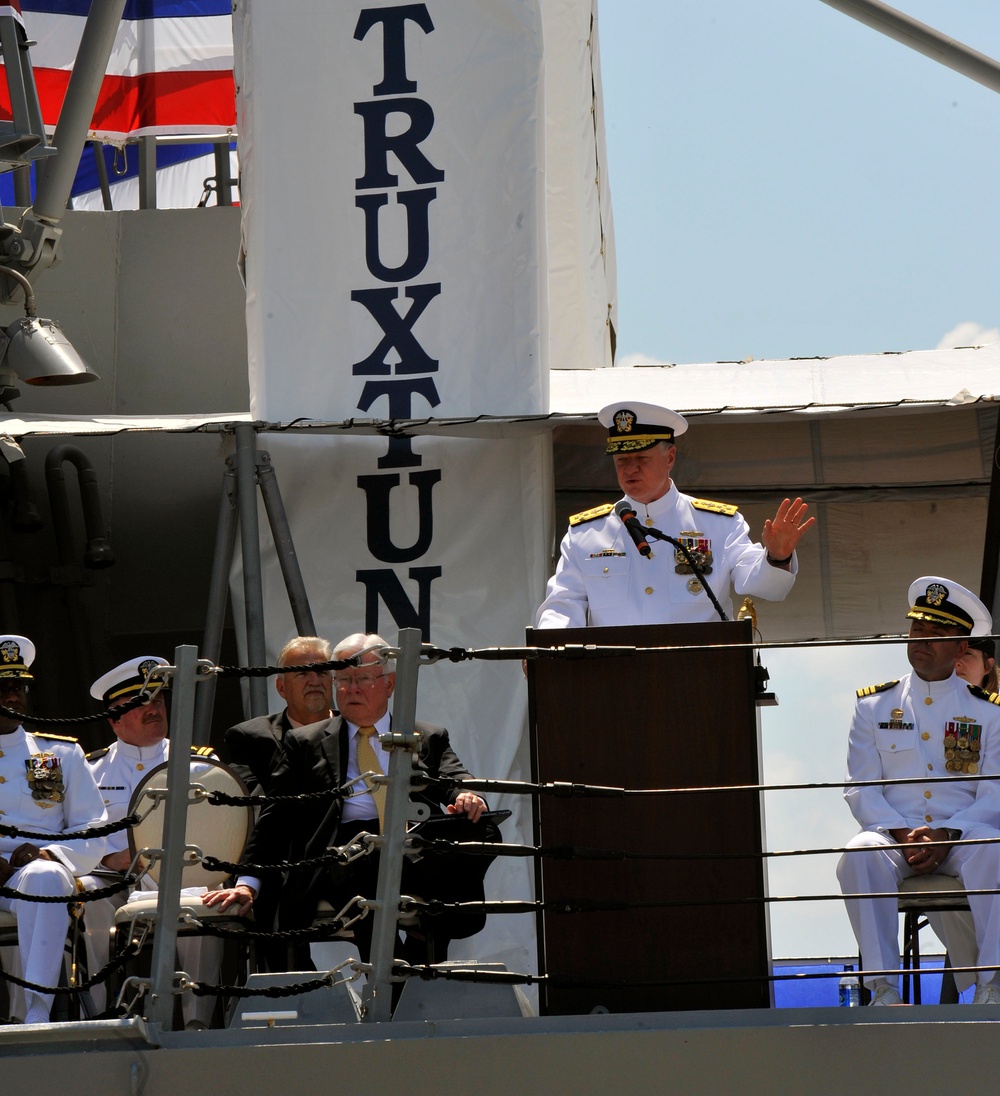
{"x": 928, "y": 725}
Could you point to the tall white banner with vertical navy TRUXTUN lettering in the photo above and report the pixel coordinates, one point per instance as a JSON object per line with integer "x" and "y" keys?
{"x": 397, "y": 241}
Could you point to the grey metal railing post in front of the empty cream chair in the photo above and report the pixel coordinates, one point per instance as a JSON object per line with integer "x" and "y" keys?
{"x": 175, "y": 829}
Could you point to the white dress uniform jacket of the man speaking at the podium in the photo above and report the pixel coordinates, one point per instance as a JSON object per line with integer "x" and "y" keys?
{"x": 603, "y": 580}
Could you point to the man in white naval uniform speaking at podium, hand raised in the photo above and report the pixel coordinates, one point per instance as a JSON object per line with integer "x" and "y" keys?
{"x": 604, "y": 580}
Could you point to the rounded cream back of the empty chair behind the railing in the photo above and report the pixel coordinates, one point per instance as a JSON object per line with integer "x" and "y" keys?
{"x": 220, "y": 831}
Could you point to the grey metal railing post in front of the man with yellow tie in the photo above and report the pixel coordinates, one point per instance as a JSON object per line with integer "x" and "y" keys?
{"x": 378, "y": 999}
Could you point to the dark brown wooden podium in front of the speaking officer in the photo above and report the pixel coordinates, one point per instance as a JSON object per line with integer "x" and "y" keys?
{"x": 680, "y": 718}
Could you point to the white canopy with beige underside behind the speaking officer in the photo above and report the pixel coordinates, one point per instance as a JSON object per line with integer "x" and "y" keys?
{"x": 894, "y": 452}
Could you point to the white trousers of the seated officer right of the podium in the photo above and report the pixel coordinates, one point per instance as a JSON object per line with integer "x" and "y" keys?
{"x": 877, "y": 869}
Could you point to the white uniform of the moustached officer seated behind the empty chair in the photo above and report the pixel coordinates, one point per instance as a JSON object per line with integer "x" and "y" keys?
{"x": 119, "y": 772}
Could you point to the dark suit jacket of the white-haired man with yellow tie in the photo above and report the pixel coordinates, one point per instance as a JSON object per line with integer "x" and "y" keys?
{"x": 315, "y": 759}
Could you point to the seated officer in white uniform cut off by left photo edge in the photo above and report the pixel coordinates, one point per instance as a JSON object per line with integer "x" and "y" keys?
{"x": 47, "y": 787}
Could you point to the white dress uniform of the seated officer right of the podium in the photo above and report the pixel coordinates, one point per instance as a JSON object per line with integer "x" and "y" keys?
{"x": 883, "y": 746}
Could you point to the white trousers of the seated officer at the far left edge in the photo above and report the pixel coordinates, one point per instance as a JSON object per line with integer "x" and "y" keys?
{"x": 42, "y": 929}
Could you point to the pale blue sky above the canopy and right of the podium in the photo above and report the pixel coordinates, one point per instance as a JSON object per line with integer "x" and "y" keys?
{"x": 788, "y": 182}
